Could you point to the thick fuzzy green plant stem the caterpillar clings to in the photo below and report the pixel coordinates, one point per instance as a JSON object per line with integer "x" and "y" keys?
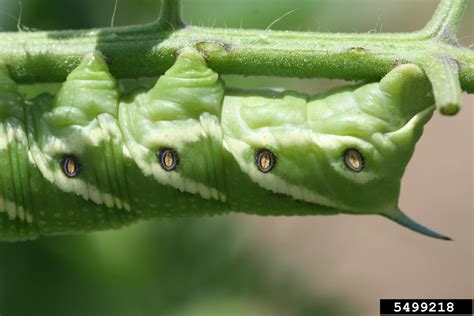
{"x": 149, "y": 50}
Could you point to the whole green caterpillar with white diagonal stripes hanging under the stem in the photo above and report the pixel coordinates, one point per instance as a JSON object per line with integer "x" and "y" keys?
{"x": 89, "y": 159}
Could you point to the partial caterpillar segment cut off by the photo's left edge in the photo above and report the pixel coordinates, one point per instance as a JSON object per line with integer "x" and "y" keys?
{"x": 17, "y": 213}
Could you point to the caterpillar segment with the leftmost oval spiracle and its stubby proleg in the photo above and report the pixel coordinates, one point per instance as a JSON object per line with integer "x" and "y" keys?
{"x": 76, "y": 146}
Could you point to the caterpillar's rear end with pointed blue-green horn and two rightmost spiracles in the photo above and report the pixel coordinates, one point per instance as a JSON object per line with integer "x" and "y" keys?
{"x": 346, "y": 150}
